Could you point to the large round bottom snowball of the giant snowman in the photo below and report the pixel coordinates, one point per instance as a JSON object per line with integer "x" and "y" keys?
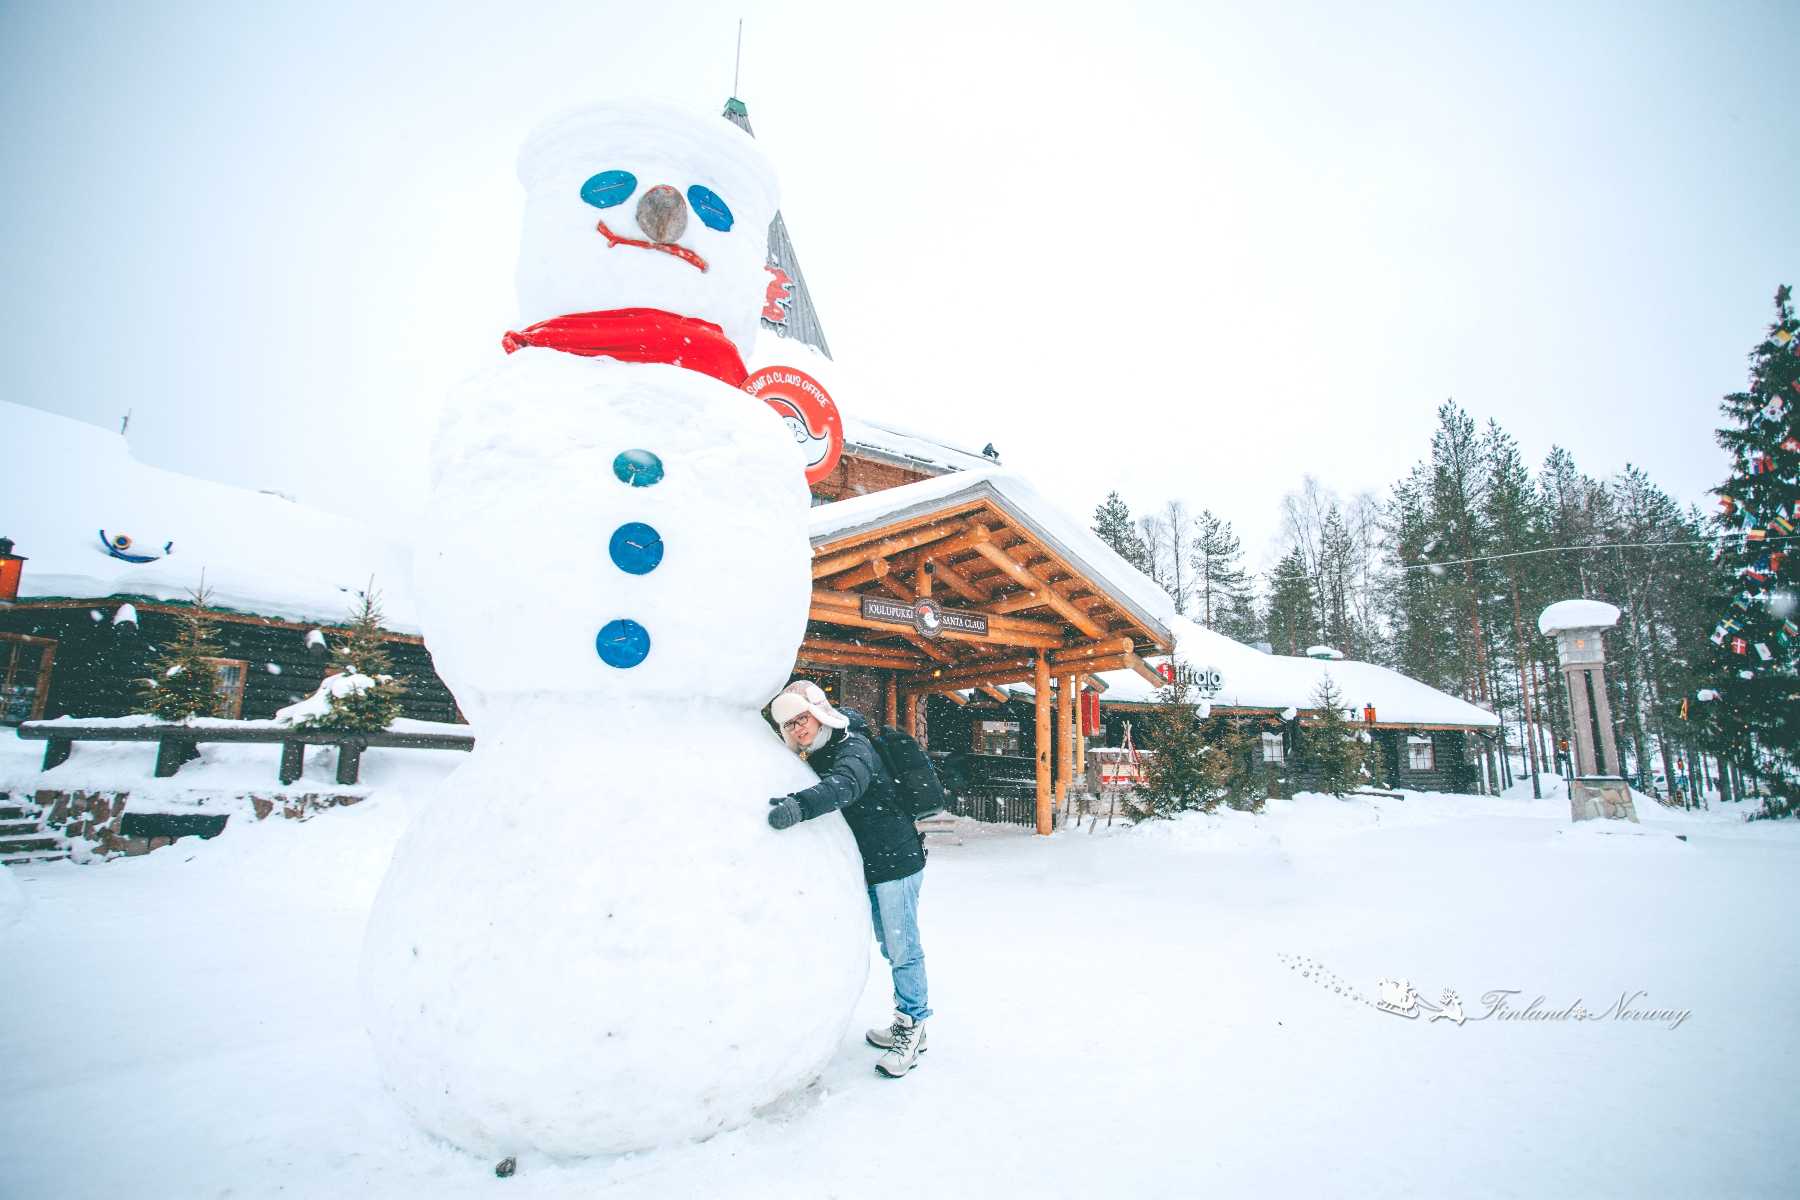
{"x": 573, "y": 960}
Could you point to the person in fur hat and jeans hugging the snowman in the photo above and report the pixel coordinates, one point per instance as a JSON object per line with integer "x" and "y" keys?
{"x": 852, "y": 780}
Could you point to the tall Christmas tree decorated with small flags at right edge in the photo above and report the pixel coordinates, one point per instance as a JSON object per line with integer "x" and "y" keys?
{"x": 1756, "y": 719}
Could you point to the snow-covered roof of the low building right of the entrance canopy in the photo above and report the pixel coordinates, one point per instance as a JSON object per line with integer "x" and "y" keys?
{"x": 1252, "y": 679}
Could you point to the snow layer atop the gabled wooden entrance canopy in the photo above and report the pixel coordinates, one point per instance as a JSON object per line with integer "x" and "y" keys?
{"x": 1038, "y": 515}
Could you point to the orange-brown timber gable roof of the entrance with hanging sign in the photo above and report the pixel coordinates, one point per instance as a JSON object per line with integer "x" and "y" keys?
{"x": 976, "y": 553}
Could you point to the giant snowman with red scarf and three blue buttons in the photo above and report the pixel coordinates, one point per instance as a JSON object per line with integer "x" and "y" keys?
{"x": 591, "y": 942}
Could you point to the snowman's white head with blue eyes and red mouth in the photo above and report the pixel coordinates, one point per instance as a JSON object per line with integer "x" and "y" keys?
{"x": 645, "y": 204}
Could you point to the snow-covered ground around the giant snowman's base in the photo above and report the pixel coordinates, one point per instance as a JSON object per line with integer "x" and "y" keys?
{"x": 1117, "y": 1016}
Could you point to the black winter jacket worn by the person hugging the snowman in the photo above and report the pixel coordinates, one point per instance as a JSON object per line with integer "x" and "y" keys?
{"x": 854, "y": 782}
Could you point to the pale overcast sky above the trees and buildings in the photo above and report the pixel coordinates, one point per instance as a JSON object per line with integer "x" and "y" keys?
{"x": 1182, "y": 251}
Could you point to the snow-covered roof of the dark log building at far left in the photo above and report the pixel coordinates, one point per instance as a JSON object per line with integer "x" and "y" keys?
{"x": 66, "y": 481}
